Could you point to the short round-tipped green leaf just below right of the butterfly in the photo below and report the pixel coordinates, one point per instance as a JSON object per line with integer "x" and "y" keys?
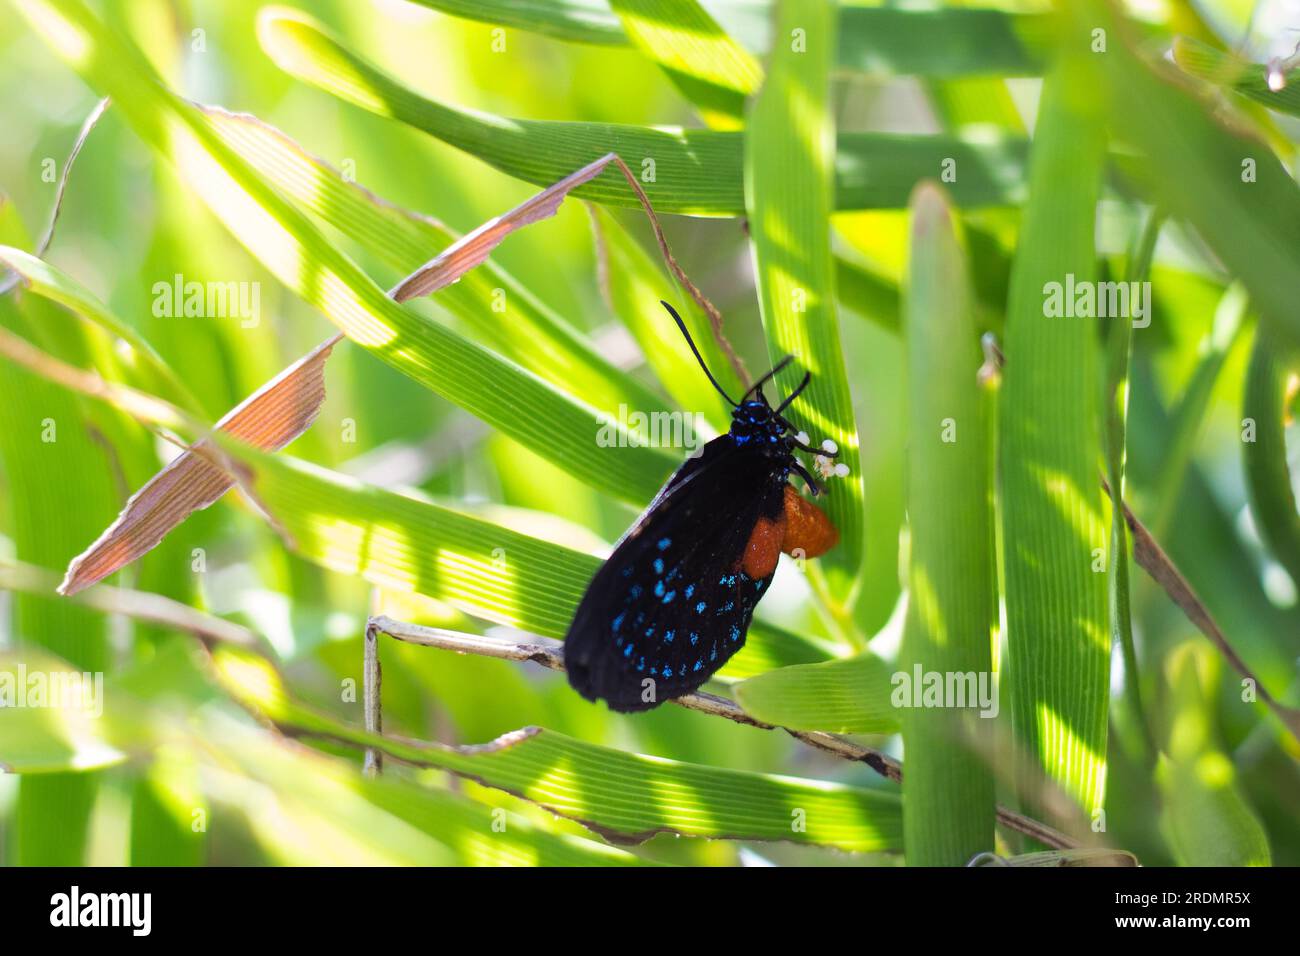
{"x": 847, "y": 697}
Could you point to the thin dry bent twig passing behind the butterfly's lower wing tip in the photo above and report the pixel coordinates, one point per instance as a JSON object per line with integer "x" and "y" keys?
{"x": 551, "y": 654}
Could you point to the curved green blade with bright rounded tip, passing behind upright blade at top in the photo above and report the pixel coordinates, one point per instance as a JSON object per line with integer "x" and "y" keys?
{"x": 695, "y": 172}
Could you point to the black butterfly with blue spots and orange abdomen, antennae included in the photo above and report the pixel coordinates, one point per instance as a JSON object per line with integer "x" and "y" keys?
{"x": 674, "y": 602}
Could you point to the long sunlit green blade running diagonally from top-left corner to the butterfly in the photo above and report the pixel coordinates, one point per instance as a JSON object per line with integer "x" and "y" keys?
{"x": 285, "y": 241}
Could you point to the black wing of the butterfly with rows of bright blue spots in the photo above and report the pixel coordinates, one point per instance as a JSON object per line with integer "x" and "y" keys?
{"x": 671, "y": 605}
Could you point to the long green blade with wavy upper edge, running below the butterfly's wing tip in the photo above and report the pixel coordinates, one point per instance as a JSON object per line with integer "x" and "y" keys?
{"x": 630, "y": 794}
